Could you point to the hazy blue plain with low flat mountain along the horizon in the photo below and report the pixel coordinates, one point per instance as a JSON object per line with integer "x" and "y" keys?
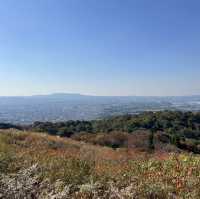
{"x": 74, "y": 106}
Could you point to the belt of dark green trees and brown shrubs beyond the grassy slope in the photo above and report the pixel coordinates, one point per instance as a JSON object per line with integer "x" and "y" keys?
{"x": 180, "y": 129}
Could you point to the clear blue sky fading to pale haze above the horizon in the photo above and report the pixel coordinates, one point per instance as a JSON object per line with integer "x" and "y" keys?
{"x": 100, "y": 47}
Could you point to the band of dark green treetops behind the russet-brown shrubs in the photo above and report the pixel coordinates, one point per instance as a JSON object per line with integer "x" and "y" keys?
{"x": 162, "y": 120}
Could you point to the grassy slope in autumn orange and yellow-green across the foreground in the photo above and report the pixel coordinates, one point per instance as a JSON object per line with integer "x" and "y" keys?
{"x": 88, "y": 171}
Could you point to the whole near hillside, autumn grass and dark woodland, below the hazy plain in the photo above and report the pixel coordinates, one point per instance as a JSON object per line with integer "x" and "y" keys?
{"x": 130, "y": 156}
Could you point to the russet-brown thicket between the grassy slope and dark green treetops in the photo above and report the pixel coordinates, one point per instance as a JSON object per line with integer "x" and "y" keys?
{"x": 137, "y": 141}
